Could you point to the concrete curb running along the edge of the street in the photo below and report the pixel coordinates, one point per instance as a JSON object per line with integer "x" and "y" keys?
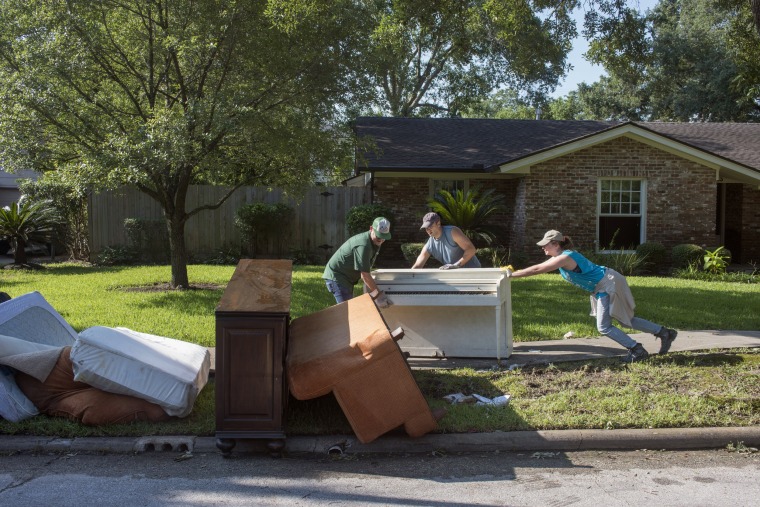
{"x": 552, "y": 440}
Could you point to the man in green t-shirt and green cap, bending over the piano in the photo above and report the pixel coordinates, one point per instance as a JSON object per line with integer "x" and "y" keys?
{"x": 353, "y": 261}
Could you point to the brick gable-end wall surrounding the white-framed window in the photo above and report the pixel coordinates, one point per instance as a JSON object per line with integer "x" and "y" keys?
{"x": 680, "y": 195}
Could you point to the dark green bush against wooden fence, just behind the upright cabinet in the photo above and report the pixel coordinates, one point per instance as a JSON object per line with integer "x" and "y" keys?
{"x": 261, "y": 223}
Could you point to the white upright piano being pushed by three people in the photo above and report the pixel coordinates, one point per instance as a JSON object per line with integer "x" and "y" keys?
{"x": 449, "y": 313}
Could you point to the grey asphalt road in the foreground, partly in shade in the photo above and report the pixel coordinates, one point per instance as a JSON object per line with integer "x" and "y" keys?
{"x": 553, "y": 479}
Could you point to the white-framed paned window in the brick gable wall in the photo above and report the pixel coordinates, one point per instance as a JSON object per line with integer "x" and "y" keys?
{"x": 621, "y": 214}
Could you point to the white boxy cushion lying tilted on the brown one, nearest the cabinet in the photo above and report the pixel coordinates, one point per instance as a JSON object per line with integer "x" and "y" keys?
{"x": 162, "y": 370}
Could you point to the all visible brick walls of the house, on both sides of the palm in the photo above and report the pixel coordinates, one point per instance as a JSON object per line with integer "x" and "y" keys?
{"x": 562, "y": 193}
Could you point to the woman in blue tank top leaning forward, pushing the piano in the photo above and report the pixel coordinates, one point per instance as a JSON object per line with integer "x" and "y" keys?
{"x": 610, "y": 295}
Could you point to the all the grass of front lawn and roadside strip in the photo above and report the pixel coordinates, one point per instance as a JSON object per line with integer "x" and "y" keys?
{"x": 714, "y": 388}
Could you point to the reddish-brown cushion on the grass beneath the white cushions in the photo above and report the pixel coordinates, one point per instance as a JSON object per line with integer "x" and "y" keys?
{"x": 60, "y": 395}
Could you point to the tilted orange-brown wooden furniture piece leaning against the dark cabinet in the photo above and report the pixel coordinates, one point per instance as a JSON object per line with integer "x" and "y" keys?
{"x": 348, "y": 350}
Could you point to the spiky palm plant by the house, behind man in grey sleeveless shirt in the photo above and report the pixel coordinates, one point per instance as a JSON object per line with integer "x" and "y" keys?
{"x": 470, "y": 212}
